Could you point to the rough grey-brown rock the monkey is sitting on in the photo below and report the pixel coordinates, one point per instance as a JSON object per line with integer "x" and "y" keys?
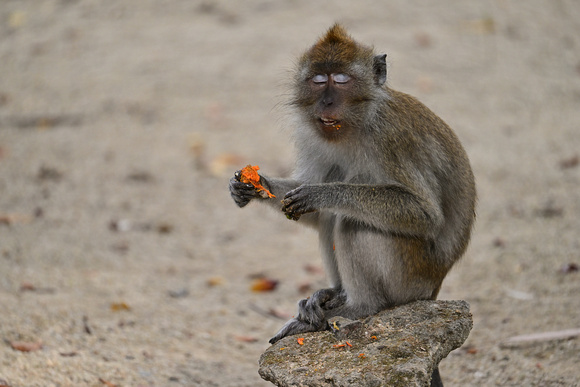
{"x": 397, "y": 347}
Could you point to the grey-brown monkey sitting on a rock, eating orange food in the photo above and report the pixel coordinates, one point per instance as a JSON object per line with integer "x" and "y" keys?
{"x": 383, "y": 179}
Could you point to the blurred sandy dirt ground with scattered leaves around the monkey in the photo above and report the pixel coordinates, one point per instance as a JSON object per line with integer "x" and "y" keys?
{"x": 124, "y": 261}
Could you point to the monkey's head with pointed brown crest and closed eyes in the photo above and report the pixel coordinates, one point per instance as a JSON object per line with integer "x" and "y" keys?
{"x": 338, "y": 82}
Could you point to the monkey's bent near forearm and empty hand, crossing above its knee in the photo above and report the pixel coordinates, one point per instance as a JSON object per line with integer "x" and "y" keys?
{"x": 389, "y": 207}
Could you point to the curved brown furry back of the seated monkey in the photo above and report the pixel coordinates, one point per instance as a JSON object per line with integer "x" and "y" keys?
{"x": 423, "y": 139}
